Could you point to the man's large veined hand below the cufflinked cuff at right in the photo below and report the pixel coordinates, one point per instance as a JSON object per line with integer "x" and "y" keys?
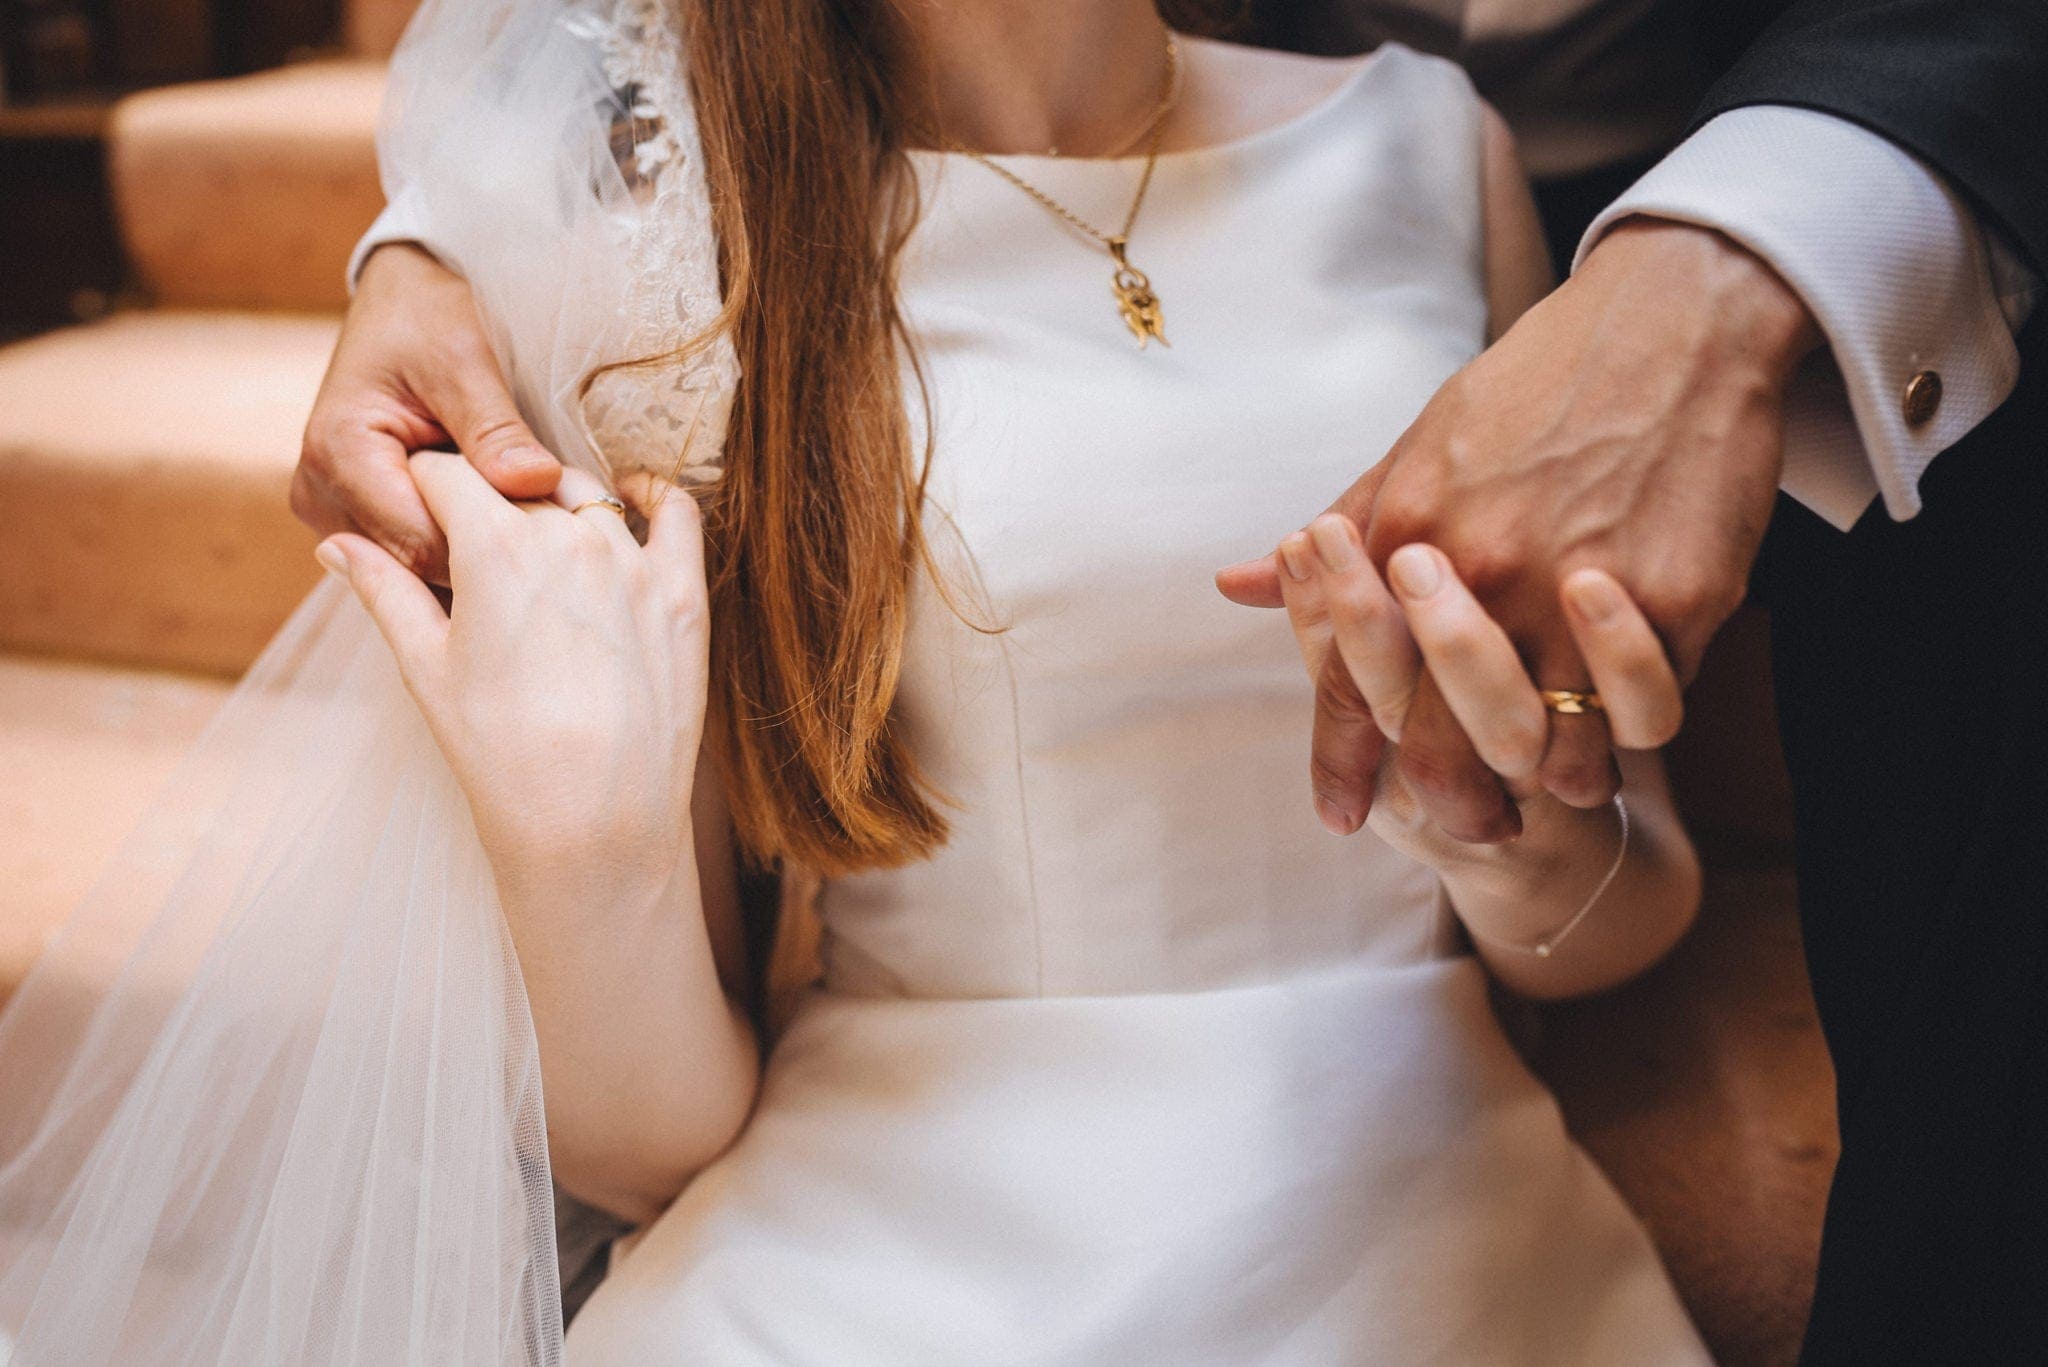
{"x": 1629, "y": 423}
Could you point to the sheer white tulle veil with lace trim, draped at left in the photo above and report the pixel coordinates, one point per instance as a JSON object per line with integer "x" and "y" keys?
{"x": 273, "y": 1095}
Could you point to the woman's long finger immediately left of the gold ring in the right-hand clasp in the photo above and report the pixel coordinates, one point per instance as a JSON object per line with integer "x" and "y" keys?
{"x": 1474, "y": 663}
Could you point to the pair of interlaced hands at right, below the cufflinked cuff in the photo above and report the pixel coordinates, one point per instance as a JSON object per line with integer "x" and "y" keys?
{"x": 1578, "y": 509}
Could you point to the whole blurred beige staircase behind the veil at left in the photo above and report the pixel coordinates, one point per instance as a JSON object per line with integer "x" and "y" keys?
{"x": 146, "y": 546}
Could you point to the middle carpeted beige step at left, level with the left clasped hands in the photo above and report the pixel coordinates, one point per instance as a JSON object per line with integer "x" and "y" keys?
{"x": 144, "y": 479}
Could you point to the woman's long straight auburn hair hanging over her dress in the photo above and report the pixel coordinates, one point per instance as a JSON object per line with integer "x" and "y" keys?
{"x": 816, "y": 530}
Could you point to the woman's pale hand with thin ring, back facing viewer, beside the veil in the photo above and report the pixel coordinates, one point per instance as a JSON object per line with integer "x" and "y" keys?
{"x": 568, "y": 683}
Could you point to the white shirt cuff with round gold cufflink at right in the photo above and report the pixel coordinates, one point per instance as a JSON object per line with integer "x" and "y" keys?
{"x": 1895, "y": 272}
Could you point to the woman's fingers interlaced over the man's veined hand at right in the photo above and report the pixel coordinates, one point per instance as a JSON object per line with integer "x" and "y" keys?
{"x": 1428, "y": 620}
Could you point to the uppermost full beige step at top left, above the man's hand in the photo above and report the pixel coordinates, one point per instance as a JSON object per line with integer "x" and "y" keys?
{"x": 249, "y": 192}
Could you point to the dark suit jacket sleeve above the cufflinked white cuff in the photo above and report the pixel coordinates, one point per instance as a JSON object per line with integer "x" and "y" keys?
{"x": 1959, "y": 83}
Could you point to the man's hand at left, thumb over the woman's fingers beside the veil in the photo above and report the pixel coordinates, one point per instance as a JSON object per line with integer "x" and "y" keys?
{"x": 413, "y": 370}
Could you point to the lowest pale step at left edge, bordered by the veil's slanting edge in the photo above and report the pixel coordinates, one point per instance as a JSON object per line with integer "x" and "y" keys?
{"x": 83, "y": 749}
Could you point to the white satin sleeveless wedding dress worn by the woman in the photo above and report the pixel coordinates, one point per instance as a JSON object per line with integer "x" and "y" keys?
{"x": 1146, "y": 1067}
